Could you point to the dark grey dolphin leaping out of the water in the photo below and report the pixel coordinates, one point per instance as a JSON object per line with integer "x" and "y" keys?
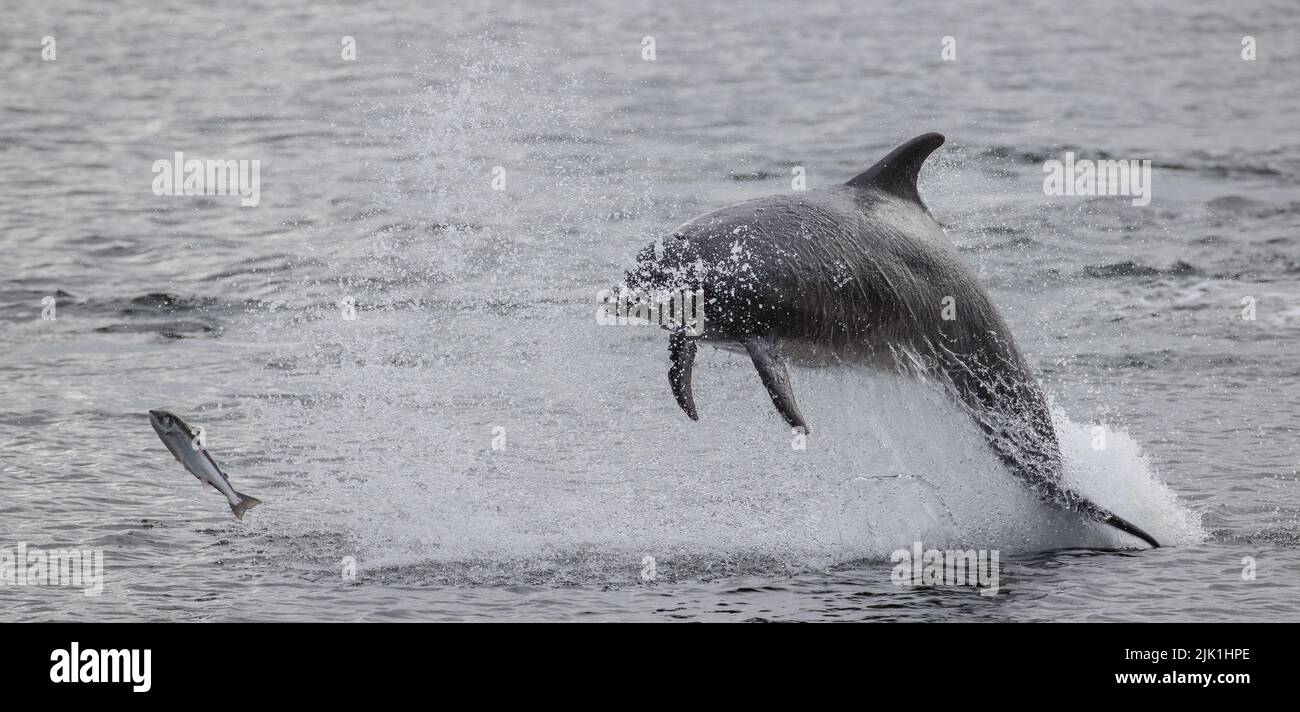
{"x": 860, "y": 273}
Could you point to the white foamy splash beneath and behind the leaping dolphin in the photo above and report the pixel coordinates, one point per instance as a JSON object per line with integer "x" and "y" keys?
{"x": 413, "y": 477}
